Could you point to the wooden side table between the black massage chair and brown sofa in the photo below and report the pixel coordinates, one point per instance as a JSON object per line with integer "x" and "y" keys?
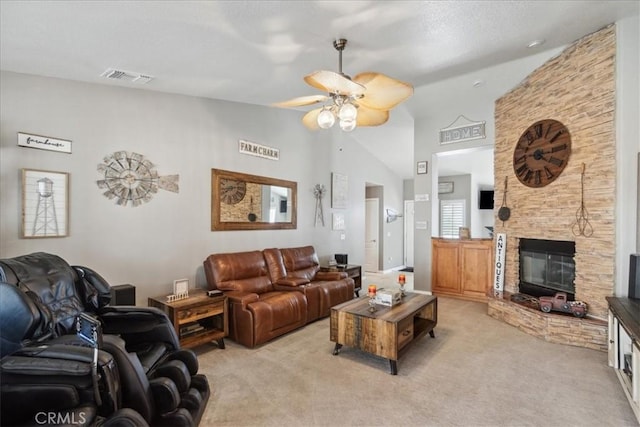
{"x": 197, "y": 319}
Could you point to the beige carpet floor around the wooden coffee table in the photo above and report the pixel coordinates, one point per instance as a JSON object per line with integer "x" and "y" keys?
{"x": 476, "y": 372}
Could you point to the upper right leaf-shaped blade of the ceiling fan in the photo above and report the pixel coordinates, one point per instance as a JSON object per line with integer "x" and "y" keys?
{"x": 383, "y": 92}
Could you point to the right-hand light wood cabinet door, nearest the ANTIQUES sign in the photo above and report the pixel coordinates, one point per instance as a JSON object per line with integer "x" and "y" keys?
{"x": 475, "y": 269}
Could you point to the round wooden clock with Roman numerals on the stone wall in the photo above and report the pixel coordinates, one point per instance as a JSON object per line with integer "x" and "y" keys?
{"x": 542, "y": 153}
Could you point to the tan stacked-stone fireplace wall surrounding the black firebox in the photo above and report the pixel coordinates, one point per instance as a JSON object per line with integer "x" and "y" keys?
{"x": 576, "y": 88}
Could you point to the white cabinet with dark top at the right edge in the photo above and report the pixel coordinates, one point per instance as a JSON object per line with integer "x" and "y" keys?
{"x": 624, "y": 347}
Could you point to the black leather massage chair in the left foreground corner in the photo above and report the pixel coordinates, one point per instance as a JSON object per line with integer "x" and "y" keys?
{"x": 138, "y": 375}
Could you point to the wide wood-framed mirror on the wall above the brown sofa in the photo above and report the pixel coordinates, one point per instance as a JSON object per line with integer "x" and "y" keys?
{"x": 240, "y": 201}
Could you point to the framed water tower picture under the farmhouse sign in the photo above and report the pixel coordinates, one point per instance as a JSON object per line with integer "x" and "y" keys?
{"x": 45, "y": 204}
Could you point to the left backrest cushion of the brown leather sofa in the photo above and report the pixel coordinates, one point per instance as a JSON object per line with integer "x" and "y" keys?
{"x": 238, "y": 271}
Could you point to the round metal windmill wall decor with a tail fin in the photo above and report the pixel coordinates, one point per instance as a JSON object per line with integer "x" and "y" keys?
{"x": 131, "y": 179}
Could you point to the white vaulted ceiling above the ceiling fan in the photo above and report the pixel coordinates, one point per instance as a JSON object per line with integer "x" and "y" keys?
{"x": 257, "y": 52}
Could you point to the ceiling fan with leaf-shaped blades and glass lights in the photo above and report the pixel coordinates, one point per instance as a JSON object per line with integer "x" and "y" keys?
{"x": 364, "y": 100}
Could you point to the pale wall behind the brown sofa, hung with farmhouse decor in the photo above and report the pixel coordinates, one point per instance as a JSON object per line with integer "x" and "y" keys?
{"x": 151, "y": 245}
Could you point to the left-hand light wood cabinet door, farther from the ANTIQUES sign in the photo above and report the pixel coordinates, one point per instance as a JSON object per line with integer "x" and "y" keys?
{"x": 445, "y": 276}
